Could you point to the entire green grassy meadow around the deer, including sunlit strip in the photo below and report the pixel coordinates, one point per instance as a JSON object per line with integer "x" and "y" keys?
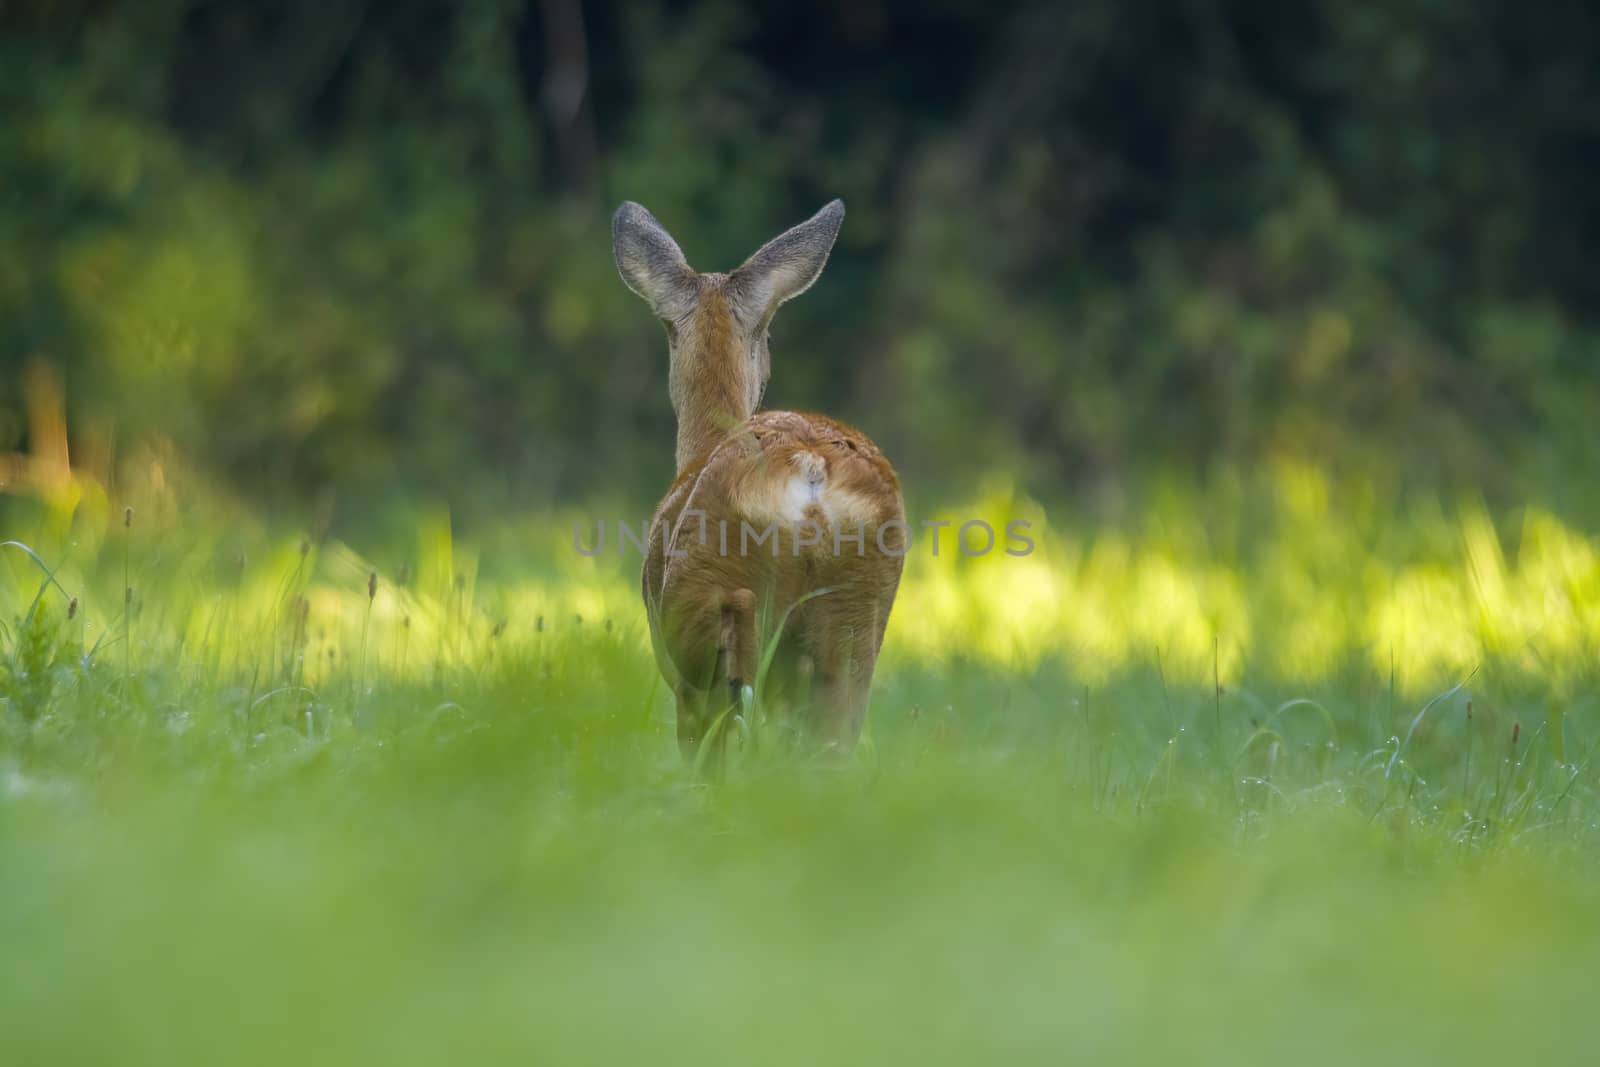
{"x": 284, "y": 817}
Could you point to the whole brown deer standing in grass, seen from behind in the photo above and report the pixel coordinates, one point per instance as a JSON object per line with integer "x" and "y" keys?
{"x": 777, "y": 519}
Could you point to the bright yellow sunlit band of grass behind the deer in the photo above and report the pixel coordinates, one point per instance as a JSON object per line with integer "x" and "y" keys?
{"x": 1430, "y": 593}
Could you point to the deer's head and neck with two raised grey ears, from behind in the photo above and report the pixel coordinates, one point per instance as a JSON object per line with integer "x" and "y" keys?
{"x": 718, "y": 322}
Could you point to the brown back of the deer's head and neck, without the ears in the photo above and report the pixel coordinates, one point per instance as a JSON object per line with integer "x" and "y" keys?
{"x": 718, "y": 388}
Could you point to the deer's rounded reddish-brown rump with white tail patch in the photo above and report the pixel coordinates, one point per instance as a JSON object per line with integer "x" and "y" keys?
{"x": 788, "y": 505}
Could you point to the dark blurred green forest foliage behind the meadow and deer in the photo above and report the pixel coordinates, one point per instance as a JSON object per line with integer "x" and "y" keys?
{"x": 351, "y": 246}
